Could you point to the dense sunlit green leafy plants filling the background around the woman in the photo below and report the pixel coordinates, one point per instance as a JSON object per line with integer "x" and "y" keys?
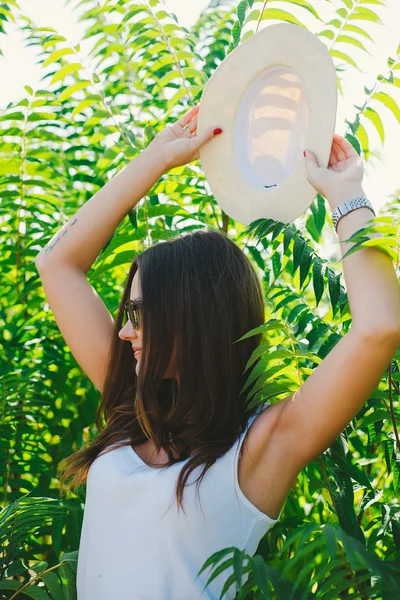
{"x": 339, "y": 534}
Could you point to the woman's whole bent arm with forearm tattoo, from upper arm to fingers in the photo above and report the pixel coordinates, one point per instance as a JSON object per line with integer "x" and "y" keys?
{"x": 63, "y": 263}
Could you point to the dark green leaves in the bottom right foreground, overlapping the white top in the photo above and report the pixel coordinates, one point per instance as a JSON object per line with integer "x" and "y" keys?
{"x": 315, "y": 562}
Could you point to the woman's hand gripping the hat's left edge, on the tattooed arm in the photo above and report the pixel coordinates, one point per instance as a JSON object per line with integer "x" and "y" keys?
{"x": 178, "y": 145}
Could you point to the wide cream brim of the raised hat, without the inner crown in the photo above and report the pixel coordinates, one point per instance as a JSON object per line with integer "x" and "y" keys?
{"x": 284, "y": 45}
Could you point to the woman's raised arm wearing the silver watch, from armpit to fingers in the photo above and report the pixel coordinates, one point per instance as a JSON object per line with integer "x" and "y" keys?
{"x": 296, "y": 430}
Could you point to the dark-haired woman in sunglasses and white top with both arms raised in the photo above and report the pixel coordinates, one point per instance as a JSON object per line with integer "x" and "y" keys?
{"x": 171, "y": 412}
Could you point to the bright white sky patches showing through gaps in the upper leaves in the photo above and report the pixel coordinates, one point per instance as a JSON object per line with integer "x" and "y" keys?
{"x": 18, "y": 68}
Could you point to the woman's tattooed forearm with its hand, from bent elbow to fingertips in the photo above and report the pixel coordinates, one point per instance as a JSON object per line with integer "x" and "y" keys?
{"x": 81, "y": 239}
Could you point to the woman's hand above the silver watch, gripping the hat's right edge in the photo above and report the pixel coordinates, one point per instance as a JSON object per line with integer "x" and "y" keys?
{"x": 344, "y": 174}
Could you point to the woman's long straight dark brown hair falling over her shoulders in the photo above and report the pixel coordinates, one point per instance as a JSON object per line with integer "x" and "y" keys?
{"x": 200, "y": 292}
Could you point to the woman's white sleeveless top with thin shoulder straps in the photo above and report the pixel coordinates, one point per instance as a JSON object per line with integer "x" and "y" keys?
{"x": 136, "y": 546}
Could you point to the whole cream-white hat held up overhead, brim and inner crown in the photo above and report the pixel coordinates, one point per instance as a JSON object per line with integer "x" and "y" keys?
{"x": 273, "y": 96}
